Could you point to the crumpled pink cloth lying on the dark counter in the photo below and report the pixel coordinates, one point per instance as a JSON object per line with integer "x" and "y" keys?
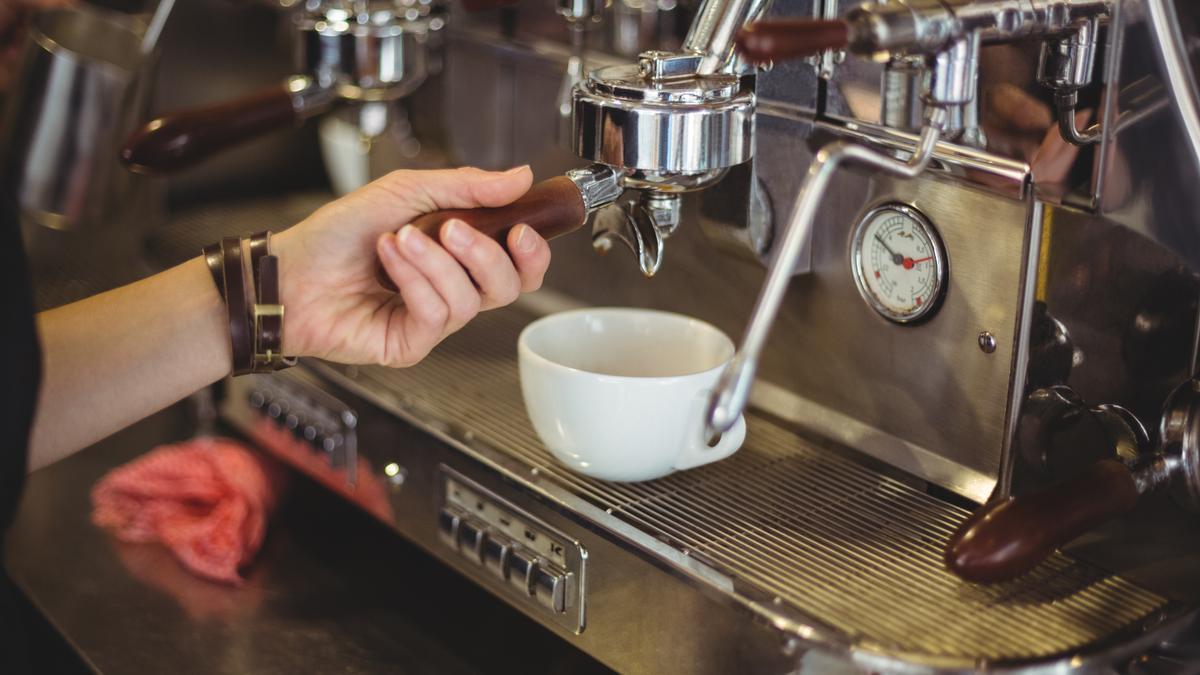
{"x": 207, "y": 500}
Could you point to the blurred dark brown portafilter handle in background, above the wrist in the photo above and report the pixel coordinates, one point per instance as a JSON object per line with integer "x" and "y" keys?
{"x": 181, "y": 140}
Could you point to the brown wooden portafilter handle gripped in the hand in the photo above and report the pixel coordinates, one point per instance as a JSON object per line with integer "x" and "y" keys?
{"x": 551, "y": 208}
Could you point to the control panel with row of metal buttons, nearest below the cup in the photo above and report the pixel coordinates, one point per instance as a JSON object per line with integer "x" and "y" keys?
{"x": 521, "y": 554}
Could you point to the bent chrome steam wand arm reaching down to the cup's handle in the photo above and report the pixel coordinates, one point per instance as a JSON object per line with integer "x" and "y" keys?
{"x": 733, "y": 391}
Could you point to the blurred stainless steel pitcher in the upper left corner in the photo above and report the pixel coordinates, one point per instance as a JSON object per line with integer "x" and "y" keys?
{"x": 85, "y": 86}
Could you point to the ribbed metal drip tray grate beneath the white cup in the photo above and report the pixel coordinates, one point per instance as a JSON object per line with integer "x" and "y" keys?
{"x": 832, "y": 540}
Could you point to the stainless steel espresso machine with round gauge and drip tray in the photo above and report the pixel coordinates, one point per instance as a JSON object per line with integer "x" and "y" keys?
{"x": 969, "y": 232}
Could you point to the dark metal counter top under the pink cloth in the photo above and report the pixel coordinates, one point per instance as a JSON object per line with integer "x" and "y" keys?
{"x": 332, "y": 592}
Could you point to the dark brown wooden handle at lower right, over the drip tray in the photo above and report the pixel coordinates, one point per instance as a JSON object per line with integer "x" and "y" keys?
{"x": 1007, "y": 539}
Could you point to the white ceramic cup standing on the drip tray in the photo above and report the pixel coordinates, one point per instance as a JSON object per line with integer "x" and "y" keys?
{"x": 621, "y": 393}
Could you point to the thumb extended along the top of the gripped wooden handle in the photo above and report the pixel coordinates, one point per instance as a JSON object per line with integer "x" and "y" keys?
{"x": 455, "y": 189}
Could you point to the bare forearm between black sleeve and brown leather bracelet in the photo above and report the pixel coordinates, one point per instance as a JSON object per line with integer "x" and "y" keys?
{"x": 121, "y": 356}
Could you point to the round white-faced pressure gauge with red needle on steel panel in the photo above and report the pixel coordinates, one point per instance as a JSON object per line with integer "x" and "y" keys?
{"x": 899, "y": 262}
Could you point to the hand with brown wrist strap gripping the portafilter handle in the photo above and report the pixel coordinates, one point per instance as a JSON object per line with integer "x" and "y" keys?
{"x": 335, "y": 307}
